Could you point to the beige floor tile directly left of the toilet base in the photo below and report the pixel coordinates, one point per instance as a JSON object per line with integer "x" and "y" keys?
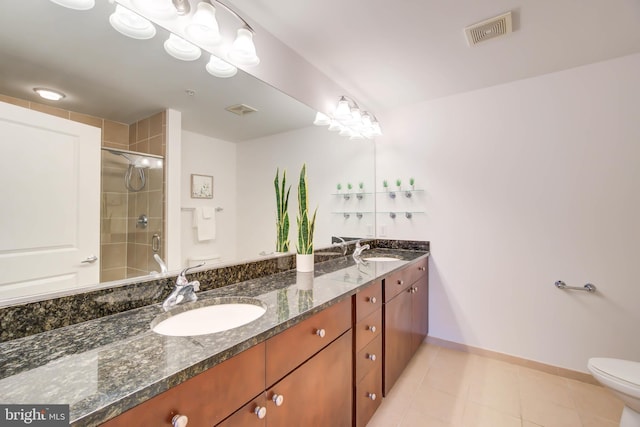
{"x": 595, "y": 400}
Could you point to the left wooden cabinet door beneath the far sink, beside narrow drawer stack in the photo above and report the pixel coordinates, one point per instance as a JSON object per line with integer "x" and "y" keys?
{"x": 397, "y": 338}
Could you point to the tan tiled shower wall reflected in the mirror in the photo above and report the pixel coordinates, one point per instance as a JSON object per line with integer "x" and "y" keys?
{"x": 125, "y": 250}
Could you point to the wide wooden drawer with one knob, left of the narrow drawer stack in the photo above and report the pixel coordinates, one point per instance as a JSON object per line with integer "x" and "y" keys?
{"x": 289, "y": 349}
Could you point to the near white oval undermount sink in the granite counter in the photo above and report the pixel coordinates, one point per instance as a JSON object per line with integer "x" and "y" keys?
{"x": 215, "y": 316}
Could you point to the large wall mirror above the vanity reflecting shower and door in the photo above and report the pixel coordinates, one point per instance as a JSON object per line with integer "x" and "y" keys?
{"x": 125, "y": 87}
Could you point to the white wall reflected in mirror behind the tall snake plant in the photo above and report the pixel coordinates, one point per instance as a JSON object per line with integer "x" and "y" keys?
{"x": 330, "y": 159}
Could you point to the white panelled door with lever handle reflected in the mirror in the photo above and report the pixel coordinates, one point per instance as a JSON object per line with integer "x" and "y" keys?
{"x": 50, "y": 196}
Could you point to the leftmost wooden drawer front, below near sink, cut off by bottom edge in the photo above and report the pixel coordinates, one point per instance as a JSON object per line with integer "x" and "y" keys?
{"x": 205, "y": 399}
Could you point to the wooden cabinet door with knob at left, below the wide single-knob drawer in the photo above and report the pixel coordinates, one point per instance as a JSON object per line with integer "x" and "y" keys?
{"x": 318, "y": 393}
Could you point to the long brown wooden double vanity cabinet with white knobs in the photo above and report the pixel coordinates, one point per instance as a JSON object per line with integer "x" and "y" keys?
{"x": 331, "y": 369}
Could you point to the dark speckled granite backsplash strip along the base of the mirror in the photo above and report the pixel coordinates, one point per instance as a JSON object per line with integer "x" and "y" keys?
{"x": 27, "y": 319}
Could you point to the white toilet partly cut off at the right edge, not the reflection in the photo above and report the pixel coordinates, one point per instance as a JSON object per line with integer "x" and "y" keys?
{"x": 623, "y": 378}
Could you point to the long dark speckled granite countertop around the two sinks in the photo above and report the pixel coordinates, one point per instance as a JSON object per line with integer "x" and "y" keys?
{"x": 106, "y": 366}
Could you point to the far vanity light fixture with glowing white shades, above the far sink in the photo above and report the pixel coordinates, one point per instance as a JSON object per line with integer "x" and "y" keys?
{"x": 349, "y": 120}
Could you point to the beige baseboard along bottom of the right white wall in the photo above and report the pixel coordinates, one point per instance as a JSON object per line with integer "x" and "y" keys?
{"x": 555, "y": 370}
